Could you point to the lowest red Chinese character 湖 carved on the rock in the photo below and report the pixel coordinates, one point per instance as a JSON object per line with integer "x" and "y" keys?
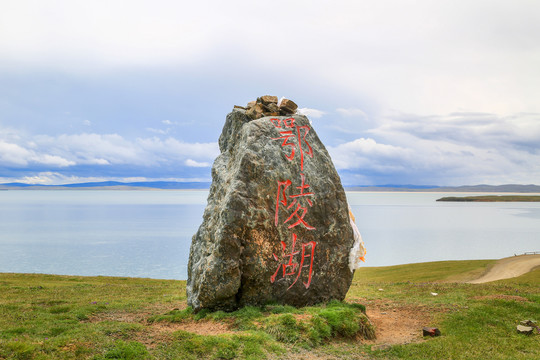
{"x": 289, "y": 264}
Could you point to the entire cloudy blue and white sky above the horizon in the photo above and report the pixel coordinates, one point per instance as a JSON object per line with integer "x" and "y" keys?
{"x": 400, "y": 92}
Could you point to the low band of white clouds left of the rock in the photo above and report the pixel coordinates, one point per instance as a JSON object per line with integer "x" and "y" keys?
{"x": 104, "y": 149}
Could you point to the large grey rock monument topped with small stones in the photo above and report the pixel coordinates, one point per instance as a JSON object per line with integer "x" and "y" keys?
{"x": 277, "y": 226}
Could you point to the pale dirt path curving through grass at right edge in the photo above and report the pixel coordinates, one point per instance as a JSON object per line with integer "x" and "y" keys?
{"x": 508, "y": 268}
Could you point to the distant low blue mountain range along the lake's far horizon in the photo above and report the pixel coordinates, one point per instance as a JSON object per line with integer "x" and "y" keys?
{"x": 172, "y": 185}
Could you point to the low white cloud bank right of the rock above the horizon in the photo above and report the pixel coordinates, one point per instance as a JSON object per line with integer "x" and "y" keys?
{"x": 454, "y": 149}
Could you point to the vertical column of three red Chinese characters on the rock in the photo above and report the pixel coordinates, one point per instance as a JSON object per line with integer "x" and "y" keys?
{"x": 295, "y": 201}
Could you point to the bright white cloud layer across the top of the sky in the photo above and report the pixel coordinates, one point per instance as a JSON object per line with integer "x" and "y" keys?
{"x": 444, "y": 56}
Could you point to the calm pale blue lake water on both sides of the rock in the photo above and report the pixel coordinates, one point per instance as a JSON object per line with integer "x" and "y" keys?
{"x": 148, "y": 233}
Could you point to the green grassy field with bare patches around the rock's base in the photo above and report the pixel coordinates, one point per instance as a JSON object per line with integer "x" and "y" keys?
{"x": 69, "y": 317}
